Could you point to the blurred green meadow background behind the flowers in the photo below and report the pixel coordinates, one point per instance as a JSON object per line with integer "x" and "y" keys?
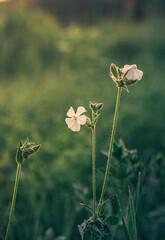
{"x": 56, "y": 54}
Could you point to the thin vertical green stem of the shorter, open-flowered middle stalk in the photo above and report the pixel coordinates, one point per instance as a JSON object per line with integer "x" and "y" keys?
{"x": 94, "y": 164}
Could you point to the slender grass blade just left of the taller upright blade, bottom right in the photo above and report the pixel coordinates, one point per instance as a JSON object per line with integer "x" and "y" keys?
{"x": 132, "y": 213}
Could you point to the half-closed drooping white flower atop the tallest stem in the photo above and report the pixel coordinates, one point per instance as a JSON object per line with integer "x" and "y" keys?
{"x": 131, "y": 72}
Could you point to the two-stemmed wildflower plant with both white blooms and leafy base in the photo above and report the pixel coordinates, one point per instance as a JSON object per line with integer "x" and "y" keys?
{"x": 98, "y": 226}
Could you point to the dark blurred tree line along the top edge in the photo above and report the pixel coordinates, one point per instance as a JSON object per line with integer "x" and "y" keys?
{"x": 88, "y": 11}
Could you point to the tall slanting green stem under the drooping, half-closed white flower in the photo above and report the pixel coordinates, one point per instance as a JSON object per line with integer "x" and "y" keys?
{"x": 111, "y": 146}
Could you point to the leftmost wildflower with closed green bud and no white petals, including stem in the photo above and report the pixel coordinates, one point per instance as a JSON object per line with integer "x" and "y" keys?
{"x": 25, "y": 151}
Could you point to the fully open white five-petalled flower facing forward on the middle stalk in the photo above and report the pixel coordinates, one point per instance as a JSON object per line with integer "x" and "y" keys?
{"x": 75, "y": 119}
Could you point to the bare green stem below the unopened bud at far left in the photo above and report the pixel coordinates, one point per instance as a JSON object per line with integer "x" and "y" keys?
{"x": 13, "y": 200}
